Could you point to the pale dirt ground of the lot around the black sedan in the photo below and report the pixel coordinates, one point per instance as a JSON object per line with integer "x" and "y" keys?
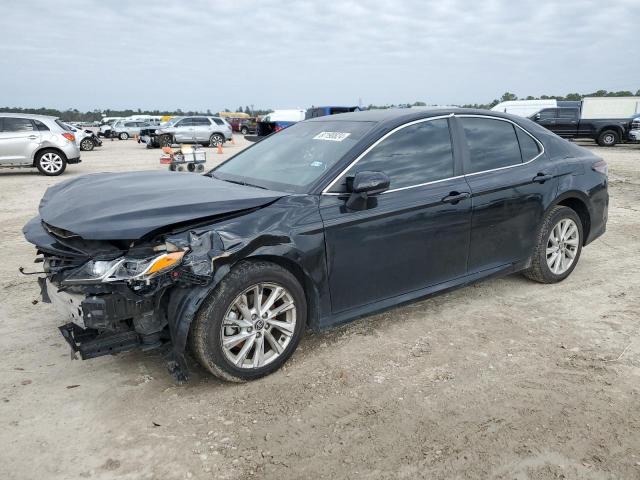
{"x": 507, "y": 379}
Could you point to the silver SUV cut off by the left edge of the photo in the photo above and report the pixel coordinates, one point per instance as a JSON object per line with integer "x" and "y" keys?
{"x": 36, "y": 141}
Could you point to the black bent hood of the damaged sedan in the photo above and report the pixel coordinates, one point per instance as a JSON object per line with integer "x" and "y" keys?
{"x": 127, "y": 206}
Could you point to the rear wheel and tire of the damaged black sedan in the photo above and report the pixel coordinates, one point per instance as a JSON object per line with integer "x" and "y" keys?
{"x": 553, "y": 244}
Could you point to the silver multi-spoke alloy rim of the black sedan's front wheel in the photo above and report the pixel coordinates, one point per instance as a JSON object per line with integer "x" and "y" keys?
{"x": 258, "y": 326}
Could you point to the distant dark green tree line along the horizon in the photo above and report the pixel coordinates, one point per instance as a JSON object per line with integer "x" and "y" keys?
{"x": 74, "y": 115}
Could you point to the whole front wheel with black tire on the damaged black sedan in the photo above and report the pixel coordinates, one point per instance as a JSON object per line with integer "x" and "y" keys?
{"x": 258, "y": 333}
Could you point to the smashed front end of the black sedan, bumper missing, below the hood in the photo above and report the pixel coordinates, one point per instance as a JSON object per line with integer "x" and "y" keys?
{"x": 124, "y": 297}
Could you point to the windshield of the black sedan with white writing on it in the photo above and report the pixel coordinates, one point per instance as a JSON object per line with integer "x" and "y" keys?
{"x": 294, "y": 158}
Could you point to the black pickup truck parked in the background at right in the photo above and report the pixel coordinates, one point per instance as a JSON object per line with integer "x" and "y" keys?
{"x": 566, "y": 122}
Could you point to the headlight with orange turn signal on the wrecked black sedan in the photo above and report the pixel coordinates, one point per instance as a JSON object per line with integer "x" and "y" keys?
{"x": 125, "y": 268}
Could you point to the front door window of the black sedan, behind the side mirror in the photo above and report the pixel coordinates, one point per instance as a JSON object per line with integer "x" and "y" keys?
{"x": 414, "y": 155}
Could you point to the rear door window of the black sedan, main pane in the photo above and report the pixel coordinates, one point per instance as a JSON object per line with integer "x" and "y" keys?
{"x": 492, "y": 144}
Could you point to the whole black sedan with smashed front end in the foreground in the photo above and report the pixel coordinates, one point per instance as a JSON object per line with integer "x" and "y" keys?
{"x": 326, "y": 221}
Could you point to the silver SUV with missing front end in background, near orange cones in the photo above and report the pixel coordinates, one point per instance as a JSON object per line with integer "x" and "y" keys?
{"x": 213, "y": 131}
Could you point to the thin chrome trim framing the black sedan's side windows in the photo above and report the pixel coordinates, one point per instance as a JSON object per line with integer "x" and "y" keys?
{"x": 375, "y": 144}
